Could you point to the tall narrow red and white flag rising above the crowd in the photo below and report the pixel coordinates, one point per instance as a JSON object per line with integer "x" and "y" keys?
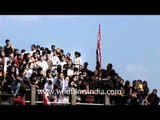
{"x": 99, "y": 50}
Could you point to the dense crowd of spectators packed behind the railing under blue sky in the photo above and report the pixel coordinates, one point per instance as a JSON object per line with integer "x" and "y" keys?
{"x": 50, "y": 69}
